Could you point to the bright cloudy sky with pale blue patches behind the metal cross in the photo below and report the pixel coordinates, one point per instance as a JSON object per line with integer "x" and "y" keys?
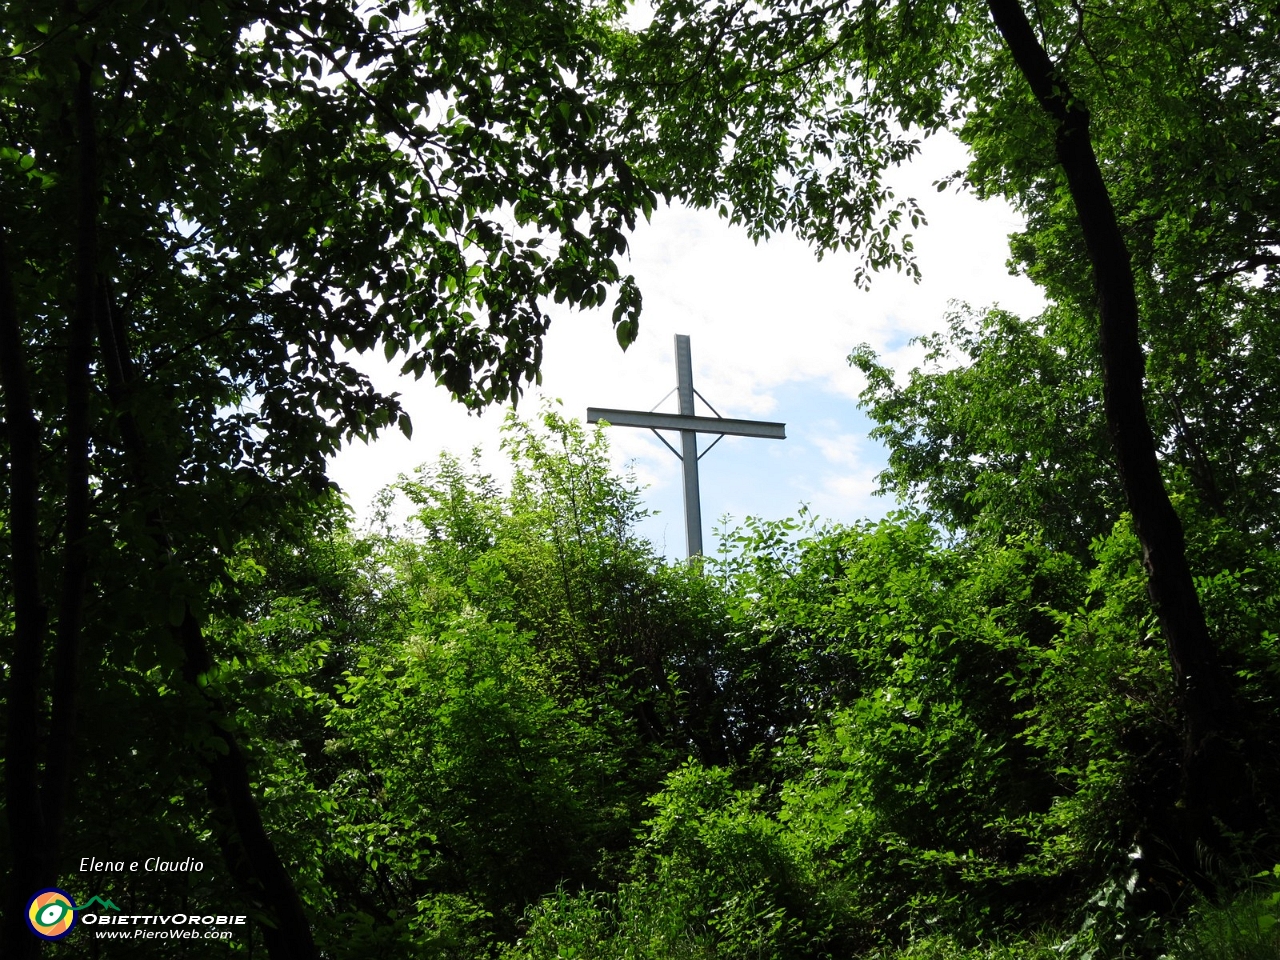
{"x": 771, "y": 328}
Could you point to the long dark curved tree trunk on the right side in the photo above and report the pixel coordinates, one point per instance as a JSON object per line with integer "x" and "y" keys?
{"x": 1213, "y": 784}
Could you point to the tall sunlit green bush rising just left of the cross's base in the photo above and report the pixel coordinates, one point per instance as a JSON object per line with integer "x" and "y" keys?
{"x": 460, "y": 715}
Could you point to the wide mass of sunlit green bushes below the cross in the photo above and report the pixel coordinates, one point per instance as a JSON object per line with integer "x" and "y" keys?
{"x": 506, "y": 729}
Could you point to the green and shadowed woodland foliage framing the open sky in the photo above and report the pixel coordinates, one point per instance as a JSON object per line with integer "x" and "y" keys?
{"x": 1035, "y": 711}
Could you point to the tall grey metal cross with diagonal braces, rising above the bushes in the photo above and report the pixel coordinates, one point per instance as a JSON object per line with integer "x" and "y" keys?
{"x": 689, "y": 427}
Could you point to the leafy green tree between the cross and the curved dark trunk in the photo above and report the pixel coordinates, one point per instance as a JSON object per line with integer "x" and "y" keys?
{"x": 1011, "y": 444}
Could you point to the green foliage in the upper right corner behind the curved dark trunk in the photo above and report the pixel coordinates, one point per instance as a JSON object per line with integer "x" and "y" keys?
{"x": 1183, "y": 145}
